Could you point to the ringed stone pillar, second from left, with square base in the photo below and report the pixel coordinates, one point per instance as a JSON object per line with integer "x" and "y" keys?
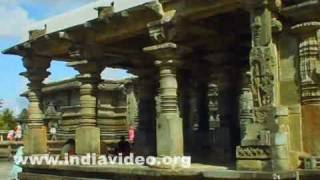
{"x": 87, "y": 134}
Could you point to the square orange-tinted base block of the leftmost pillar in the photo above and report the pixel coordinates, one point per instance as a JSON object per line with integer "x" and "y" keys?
{"x": 35, "y": 140}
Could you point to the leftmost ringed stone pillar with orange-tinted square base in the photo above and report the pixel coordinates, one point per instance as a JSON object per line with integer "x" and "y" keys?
{"x": 35, "y": 137}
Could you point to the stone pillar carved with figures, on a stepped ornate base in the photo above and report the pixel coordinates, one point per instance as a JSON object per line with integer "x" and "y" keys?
{"x": 257, "y": 150}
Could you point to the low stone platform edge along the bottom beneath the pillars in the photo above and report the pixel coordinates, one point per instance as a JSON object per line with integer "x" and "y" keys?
{"x": 195, "y": 172}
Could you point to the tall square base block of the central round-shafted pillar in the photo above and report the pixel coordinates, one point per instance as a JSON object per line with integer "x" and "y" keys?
{"x": 169, "y": 135}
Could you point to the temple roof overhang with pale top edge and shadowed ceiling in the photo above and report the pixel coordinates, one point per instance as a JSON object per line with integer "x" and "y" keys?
{"x": 116, "y": 35}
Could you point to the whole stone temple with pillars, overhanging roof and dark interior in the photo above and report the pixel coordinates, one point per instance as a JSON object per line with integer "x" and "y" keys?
{"x": 235, "y": 84}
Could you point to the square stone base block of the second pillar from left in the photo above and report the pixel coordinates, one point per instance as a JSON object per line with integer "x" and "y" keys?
{"x": 87, "y": 140}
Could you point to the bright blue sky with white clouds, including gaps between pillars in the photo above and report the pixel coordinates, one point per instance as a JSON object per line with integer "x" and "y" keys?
{"x": 15, "y": 15}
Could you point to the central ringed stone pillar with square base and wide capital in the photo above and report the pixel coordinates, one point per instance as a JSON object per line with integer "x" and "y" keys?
{"x": 169, "y": 124}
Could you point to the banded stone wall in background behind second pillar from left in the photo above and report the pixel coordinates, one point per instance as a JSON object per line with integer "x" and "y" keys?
{"x": 112, "y": 110}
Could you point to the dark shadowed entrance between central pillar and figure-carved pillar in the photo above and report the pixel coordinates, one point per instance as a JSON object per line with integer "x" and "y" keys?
{"x": 209, "y": 88}
